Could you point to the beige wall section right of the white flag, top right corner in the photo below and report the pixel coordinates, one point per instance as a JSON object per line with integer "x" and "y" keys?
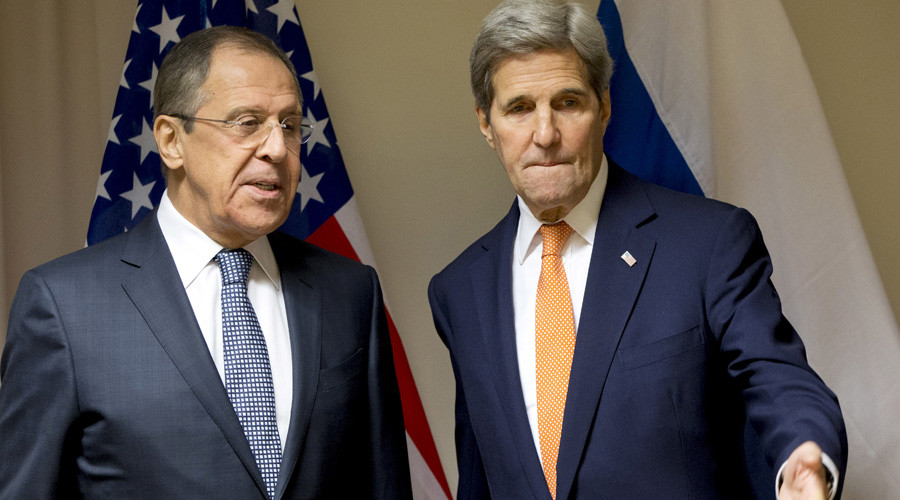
{"x": 851, "y": 49}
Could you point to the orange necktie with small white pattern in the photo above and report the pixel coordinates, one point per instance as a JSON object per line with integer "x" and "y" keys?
{"x": 554, "y": 345}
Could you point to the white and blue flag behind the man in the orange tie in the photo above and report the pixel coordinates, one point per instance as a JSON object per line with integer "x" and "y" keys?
{"x": 714, "y": 98}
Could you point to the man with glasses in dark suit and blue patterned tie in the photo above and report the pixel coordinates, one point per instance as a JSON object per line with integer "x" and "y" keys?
{"x": 126, "y": 373}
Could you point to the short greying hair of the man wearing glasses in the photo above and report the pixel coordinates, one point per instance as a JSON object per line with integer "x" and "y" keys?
{"x": 179, "y": 83}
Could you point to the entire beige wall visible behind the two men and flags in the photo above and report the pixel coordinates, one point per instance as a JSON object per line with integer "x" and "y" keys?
{"x": 394, "y": 74}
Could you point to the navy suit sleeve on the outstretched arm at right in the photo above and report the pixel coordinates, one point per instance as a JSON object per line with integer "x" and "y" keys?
{"x": 786, "y": 401}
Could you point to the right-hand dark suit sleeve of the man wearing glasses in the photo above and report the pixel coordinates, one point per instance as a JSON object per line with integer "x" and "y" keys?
{"x": 390, "y": 474}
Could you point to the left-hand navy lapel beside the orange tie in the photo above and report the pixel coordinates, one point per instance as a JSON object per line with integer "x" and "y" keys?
{"x": 491, "y": 278}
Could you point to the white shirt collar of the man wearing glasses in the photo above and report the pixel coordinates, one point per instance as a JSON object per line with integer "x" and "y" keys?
{"x": 192, "y": 249}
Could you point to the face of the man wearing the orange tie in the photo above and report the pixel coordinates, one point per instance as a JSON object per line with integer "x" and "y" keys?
{"x": 547, "y": 125}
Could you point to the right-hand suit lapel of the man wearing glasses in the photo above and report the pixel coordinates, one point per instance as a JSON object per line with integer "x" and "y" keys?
{"x": 303, "y": 304}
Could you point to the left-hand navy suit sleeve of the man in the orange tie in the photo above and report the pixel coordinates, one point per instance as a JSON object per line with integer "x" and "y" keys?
{"x": 472, "y": 478}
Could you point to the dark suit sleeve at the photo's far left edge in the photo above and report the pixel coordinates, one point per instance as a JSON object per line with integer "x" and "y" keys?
{"x": 38, "y": 399}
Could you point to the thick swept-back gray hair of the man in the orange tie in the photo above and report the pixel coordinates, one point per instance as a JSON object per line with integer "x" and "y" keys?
{"x": 519, "y": 27}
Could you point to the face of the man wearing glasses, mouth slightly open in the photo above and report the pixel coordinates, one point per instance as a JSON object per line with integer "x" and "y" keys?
{"x": 237, "y": 192}
